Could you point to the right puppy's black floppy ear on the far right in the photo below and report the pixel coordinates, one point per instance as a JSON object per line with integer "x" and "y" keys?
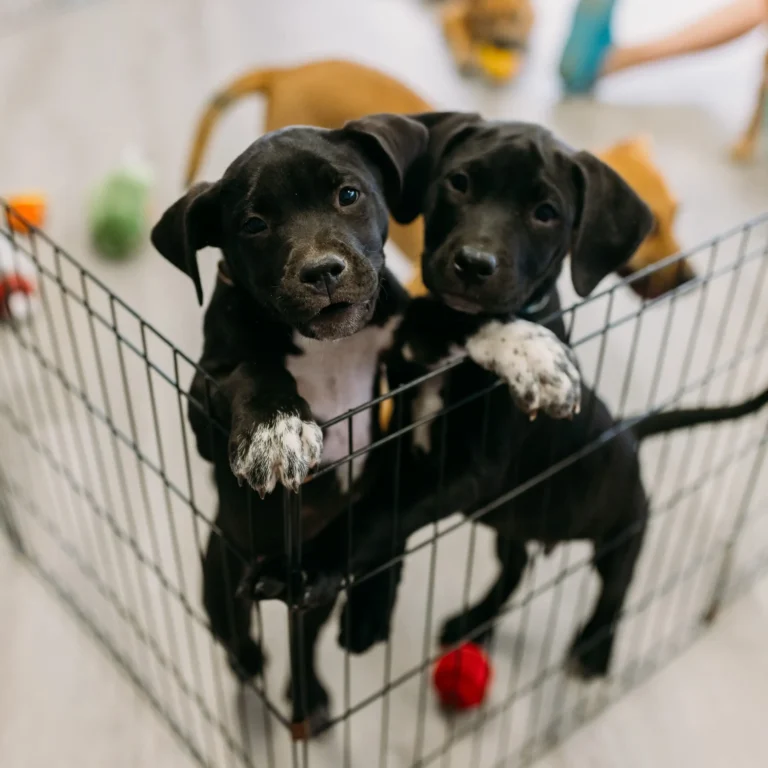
{"x": 611, "y": 222}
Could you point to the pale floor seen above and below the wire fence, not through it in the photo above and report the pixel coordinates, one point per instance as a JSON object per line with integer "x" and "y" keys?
{"x": 82, "y": 80}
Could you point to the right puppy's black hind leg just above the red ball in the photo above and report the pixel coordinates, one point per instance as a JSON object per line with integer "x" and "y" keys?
{"x": 476, "y": 624}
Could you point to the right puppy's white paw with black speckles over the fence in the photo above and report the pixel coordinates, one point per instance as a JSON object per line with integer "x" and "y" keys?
{"x": 540, "y": 370}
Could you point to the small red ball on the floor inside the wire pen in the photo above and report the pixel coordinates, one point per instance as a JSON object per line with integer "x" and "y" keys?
{"x": 462, "y": 676}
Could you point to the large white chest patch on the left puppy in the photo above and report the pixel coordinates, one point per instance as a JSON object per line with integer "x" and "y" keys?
{"x": 336, "y": 376}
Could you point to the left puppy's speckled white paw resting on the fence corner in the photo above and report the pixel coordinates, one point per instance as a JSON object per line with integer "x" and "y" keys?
{"x": 283, "y": 450}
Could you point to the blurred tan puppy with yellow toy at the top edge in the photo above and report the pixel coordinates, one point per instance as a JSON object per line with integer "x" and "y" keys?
{"x": 488, "y": 36}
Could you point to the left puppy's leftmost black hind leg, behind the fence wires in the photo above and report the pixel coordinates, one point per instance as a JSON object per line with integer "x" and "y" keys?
{"x": 230, "y": 616}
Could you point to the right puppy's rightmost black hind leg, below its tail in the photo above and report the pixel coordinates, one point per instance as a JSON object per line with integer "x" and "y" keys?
{"x": 615, "y": 559}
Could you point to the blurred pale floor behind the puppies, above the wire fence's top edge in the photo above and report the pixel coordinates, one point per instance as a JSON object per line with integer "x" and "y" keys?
{"x": 81, "y": 80}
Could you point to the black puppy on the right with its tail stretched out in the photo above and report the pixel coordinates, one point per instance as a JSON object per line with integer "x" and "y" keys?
{"x": 504, "y": 203}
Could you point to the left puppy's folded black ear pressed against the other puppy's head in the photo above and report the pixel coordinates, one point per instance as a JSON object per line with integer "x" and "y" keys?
{"x": 395, "y": 143}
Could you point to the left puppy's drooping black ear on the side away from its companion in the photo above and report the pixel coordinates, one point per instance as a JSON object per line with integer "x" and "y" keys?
{"x": 191, "y": 223}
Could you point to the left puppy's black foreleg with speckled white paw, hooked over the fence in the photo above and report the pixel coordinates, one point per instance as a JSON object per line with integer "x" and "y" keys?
{"x": 273, "y": 437}
